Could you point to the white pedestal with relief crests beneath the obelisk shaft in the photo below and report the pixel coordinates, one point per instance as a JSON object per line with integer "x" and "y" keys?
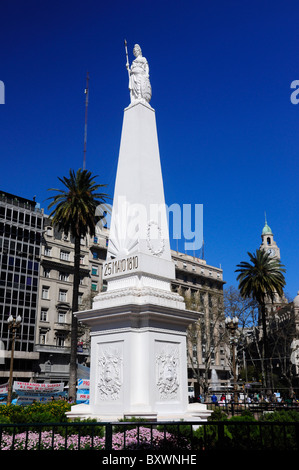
{"x": 138, "y": 357}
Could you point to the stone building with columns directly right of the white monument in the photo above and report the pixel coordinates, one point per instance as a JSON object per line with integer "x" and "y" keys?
{"x": 202, "y": 287}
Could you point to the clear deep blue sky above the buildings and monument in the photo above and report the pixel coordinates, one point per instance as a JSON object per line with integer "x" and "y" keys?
{"x": 220, "y": 73}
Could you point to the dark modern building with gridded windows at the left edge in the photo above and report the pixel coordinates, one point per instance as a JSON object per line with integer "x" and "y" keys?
{"x": 21, "y": 228}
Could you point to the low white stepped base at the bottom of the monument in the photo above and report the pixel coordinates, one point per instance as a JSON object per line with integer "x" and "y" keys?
{"x": 194, "y": 412}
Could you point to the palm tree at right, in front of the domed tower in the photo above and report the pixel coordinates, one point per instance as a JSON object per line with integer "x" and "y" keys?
{"x": 261, "y": 279}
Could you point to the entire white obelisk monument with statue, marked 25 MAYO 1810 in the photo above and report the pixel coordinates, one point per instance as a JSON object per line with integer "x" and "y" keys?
{"x": 138, "y": 326}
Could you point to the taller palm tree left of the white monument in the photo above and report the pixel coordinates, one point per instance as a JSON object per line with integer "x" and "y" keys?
{"x": 74, "y": 212}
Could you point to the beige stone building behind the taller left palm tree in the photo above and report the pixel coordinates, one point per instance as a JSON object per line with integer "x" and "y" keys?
{"x": 55, "y": 296}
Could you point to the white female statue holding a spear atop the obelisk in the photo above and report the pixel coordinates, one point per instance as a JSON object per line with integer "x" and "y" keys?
{"x": 139, "y": 83}
